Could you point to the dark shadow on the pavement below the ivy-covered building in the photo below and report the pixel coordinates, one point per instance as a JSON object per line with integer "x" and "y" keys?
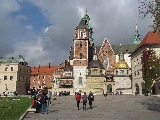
{"x": 152, "y": 104}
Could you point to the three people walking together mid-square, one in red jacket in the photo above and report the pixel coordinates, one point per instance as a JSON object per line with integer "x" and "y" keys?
{"x": 84, "y": 98}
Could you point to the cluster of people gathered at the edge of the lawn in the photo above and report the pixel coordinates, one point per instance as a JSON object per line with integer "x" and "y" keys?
{"x": 41, "y": 101}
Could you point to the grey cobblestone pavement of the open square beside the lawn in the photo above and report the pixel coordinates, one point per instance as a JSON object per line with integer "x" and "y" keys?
{"x": 114, "y": 107}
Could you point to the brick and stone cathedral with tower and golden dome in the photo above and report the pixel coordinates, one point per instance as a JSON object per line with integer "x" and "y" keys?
{"x": 96, "y": 68}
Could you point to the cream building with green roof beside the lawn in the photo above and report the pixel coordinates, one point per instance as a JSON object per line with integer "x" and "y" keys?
{"x": 14, "y": 75}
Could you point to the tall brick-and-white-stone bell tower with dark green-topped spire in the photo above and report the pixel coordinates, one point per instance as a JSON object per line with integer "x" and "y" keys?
{"x": 82, "y": 42}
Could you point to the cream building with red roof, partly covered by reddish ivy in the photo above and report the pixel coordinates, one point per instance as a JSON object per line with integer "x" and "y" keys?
{"x": 151, "y": 40}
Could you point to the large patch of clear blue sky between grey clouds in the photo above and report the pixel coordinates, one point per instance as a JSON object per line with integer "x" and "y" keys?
{"x": 33, "y": 16}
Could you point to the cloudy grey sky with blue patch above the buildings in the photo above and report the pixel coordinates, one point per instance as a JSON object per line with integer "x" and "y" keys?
{"x": 42, "y": 31}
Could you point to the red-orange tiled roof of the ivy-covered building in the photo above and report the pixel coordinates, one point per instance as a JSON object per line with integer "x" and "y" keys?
{"x": 152, "y": 38}
